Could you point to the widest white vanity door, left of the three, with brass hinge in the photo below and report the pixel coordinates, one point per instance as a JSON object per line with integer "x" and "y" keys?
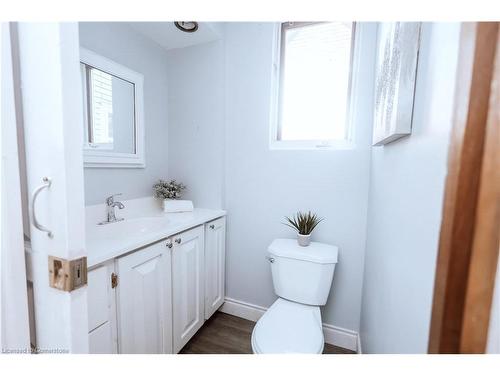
{"x": 144, "y": 300}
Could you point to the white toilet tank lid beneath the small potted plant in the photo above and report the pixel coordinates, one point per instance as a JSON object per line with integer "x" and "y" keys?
{"x": 316, "y": 252}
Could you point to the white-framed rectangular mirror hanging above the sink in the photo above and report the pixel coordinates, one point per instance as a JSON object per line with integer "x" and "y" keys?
{"x": 112, "y": 106}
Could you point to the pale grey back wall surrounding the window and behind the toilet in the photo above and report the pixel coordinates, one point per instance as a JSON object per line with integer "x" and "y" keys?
{"x": 262, "y": 185}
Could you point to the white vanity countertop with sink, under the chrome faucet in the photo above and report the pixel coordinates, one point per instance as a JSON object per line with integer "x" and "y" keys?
{"x": 139, "y": 229}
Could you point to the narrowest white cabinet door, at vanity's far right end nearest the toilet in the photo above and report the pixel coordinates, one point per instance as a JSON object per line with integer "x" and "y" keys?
{"x": 215, "y": 253}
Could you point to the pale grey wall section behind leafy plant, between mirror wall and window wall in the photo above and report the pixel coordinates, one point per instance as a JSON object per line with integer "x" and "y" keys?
{"x": 196, "y": 121}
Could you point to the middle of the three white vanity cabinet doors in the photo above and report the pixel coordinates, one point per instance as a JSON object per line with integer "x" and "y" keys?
{"x": 188, "y": 285}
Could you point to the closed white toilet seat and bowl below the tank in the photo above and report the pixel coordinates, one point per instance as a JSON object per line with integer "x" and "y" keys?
{"x": 289, "y": 327}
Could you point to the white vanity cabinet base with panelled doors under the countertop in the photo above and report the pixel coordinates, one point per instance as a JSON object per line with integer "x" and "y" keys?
{"x": 153, "y": 299}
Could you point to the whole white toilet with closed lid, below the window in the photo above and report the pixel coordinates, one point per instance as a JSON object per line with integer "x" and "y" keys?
{"x": 302, "y": 277}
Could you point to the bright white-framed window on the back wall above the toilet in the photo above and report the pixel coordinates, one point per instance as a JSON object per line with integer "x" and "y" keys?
{"x": 312, "y": 85}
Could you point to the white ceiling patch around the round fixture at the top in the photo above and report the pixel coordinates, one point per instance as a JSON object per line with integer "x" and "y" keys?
{"x": 169, "y": 37}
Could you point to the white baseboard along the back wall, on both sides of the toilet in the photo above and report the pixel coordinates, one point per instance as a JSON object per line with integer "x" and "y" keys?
{"x": 337, "y": 336}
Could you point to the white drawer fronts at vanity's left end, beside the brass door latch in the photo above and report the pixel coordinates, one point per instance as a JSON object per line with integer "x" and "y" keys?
{"x": 102, "y": 310}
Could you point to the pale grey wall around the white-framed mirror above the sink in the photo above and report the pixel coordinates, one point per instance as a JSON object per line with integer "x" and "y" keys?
{"x": 126, "y": 46}
